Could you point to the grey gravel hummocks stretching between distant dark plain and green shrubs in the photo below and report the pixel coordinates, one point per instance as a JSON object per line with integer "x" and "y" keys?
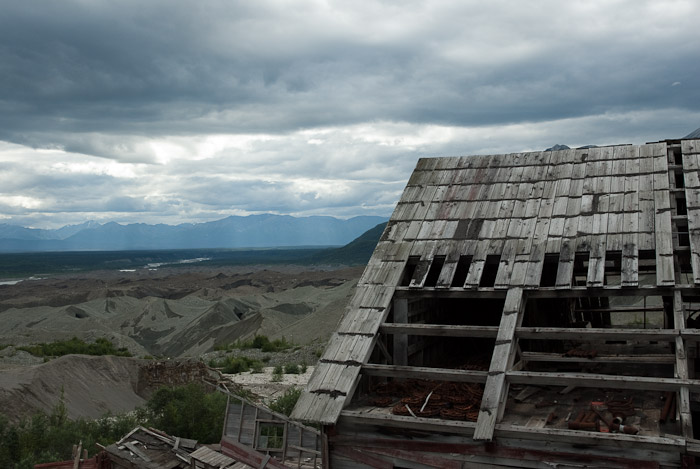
{"x": 177, "y": 312}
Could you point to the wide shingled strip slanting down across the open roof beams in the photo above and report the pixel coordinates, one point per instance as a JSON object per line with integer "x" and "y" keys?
{"x": 496, "y": 390}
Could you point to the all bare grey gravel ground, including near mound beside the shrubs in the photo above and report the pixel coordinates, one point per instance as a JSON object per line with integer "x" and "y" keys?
{"x": 168, "y": 313}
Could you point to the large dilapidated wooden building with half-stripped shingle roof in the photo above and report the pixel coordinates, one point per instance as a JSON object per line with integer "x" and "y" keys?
{"x": 524, "y": 310}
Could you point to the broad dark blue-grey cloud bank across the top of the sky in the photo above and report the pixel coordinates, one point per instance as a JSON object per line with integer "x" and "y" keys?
{"x": 164, "y": 67}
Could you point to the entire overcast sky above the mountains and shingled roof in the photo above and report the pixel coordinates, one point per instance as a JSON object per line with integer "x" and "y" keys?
{"x": 169, "y": 111}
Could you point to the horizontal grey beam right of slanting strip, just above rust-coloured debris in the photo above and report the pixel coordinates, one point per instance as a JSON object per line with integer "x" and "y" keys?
{"x": 601, "y": 381}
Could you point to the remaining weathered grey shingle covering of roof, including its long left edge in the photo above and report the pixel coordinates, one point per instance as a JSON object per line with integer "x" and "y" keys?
{"x": 517, "y": 208}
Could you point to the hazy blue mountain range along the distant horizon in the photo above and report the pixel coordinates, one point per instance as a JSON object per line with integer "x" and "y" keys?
{"x": 254, "y": 231}
